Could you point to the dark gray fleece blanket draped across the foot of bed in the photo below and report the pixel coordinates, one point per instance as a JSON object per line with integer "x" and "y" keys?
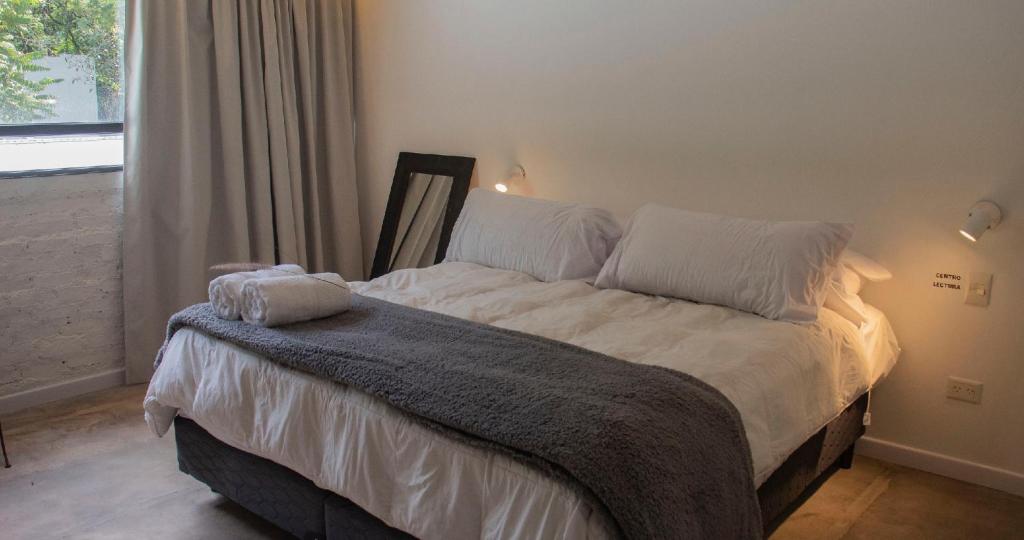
{"x": 664, "y": 453}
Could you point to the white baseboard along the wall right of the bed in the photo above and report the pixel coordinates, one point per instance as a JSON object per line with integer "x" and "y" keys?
{"x": 962, "y": 470}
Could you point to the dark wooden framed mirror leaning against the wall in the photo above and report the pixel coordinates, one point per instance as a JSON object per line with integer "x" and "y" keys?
{"x": 428, "y": 195}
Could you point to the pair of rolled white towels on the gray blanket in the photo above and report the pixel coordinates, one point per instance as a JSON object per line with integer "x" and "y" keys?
{"x": 279, "y": 296}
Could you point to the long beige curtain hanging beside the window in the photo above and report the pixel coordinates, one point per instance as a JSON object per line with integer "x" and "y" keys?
{"x": 239, "y": 147}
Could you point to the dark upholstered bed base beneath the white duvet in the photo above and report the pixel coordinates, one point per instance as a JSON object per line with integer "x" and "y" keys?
{"x": 295, "y": 505}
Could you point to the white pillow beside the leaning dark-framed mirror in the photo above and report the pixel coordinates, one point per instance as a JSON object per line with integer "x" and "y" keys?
{"x": 551, "y": 241}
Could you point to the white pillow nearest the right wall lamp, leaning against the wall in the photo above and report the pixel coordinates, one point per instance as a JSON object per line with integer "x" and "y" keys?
{"x": 777, "y": 270}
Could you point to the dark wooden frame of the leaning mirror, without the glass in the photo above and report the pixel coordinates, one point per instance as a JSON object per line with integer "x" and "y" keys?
{"x": 458, "y": 168}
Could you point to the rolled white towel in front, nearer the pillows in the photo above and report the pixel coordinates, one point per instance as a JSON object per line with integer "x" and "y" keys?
{"x": 275, "y": 302}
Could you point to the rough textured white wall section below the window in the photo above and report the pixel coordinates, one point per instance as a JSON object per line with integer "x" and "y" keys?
{"x": 61, "y": 311}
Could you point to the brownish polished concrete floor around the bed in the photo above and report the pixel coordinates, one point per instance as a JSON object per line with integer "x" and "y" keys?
{"x": 90, "y": 468}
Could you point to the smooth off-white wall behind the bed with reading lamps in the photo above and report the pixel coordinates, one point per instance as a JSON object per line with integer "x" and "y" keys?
{"x": 895, "y": 115}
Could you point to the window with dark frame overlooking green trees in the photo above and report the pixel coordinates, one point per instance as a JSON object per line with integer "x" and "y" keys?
{"x": 62, "y": 99}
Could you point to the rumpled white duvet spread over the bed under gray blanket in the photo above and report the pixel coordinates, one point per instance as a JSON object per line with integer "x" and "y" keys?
{"x": 787, "y": 381}
